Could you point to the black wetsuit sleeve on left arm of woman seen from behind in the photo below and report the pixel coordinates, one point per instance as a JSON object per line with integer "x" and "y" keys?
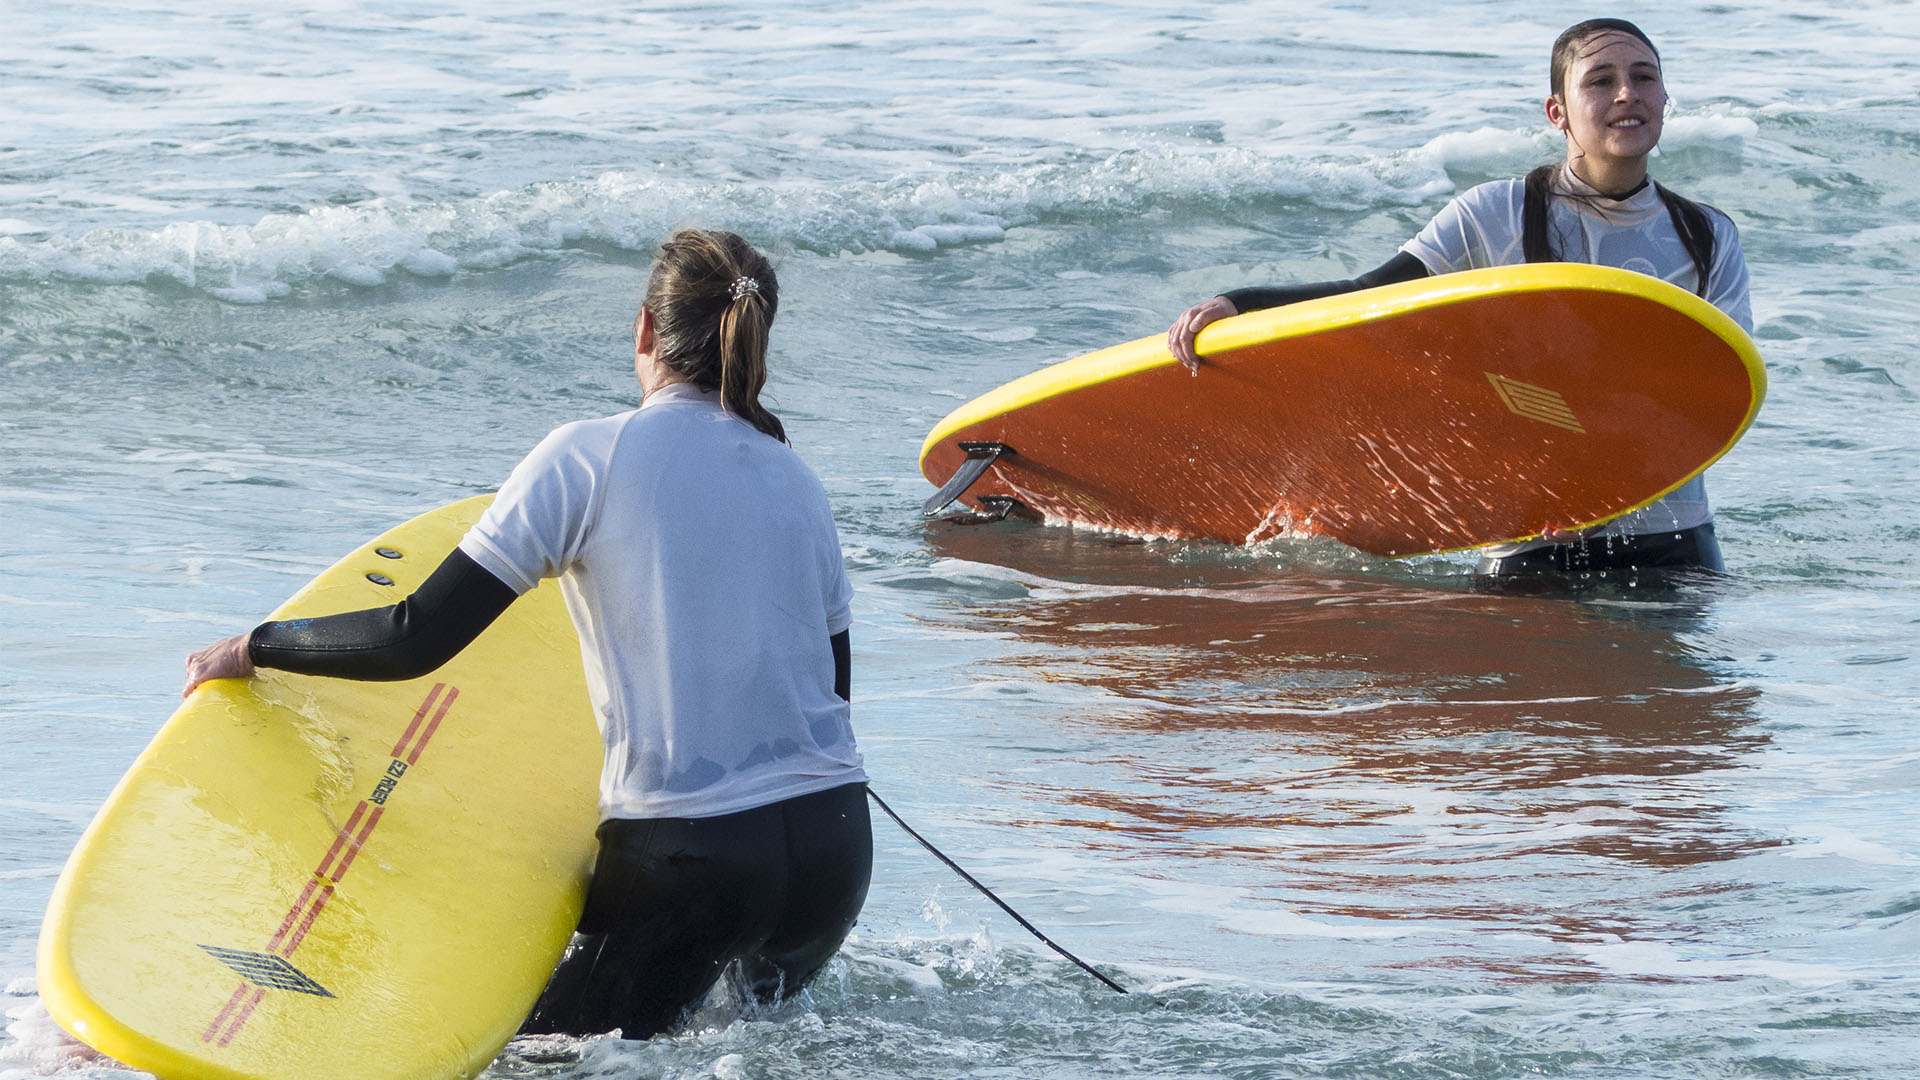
{"x": 452, "y": 608}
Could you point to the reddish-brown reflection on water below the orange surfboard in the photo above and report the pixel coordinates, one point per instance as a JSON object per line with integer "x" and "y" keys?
{"x": 1366, "y": 743}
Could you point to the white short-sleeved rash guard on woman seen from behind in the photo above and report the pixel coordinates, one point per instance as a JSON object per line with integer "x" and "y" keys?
{"x": 700, "y": 562}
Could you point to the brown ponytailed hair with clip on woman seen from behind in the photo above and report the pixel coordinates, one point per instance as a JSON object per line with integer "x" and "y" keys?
{"x": 713, "y": 303}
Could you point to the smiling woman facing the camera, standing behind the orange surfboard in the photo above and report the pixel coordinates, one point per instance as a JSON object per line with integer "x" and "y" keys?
{"x": 1596, "y": 207}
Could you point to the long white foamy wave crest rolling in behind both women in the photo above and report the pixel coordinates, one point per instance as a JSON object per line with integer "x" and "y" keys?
{"x": 370, "y": 243}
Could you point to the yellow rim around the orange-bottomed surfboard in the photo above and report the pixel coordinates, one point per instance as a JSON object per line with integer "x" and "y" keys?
{"x": 1355, "y": 310}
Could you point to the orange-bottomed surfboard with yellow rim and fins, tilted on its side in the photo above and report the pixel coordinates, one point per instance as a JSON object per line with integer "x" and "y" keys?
{"x": 1431, "y": 416}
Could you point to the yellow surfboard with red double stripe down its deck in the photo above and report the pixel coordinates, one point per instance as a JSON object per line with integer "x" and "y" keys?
{"x": 316, "y": 879}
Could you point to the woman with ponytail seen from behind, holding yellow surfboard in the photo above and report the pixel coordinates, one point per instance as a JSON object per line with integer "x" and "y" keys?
{"x": 704, "y": 574}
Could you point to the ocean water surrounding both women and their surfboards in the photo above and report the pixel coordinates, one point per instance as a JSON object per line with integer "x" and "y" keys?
{"x": 272, "y": 282}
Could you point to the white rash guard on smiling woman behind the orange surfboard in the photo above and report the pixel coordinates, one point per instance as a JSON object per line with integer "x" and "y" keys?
{"x": 1483, "y": 230}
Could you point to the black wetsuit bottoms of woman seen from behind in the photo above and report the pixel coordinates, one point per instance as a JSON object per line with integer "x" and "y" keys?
{"x": 675, "y": 900}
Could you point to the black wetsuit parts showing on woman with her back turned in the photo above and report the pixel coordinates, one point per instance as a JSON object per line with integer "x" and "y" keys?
{"x": 673, "y": 902}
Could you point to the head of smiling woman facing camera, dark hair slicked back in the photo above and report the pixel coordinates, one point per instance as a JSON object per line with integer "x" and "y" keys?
{"x": 1614, "y": 101}
